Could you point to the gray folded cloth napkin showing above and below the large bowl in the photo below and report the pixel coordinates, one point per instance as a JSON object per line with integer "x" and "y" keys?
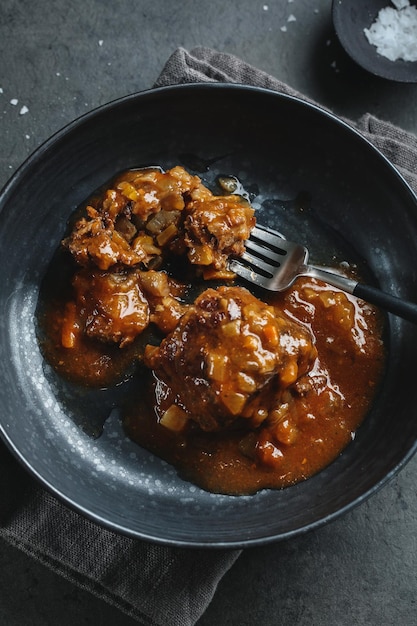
{"x": 154, "y": 584}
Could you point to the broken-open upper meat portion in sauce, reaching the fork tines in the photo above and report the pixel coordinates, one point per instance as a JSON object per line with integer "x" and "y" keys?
{"x": 148, "y": 214}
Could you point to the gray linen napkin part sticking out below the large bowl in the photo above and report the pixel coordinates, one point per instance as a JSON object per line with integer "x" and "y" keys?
{"x": 156, "y": 585}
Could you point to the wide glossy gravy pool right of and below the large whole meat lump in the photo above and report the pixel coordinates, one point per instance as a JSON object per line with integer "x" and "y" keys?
{"x": 349, "y": 368}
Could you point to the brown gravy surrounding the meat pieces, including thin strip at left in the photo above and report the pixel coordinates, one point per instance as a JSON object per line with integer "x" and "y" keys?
{"x": 350, "y": 362}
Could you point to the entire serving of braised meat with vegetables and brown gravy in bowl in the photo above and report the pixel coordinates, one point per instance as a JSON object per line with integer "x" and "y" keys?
{"x": 238, "y": 393}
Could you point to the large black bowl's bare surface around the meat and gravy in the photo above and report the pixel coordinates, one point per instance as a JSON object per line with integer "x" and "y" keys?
{"x": 360, "y": 208}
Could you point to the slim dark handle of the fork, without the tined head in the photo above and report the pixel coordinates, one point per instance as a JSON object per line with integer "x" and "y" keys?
{"x": 403, "y": 308}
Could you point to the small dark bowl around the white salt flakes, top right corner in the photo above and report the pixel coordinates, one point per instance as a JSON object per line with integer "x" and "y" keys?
{"x": 350, "y": 18}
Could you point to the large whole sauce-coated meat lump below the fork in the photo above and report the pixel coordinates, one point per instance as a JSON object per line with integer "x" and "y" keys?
{"x": 224, "y": 351}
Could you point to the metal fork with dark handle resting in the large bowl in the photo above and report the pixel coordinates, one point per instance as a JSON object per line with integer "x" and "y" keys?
{"x": 272, "y": 262}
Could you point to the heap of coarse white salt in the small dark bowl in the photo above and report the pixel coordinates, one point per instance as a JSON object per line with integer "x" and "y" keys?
{"x": 394, "y": 32}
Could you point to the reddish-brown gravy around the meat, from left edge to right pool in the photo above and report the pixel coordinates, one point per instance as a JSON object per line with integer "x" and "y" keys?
{"x": 320, "y": 418}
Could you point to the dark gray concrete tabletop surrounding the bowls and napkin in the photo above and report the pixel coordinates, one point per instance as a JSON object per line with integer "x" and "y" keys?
{"x": 60, "y": 59}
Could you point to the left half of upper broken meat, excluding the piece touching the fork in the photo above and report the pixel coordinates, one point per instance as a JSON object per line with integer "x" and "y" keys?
{"x": 120, "y": 227}
